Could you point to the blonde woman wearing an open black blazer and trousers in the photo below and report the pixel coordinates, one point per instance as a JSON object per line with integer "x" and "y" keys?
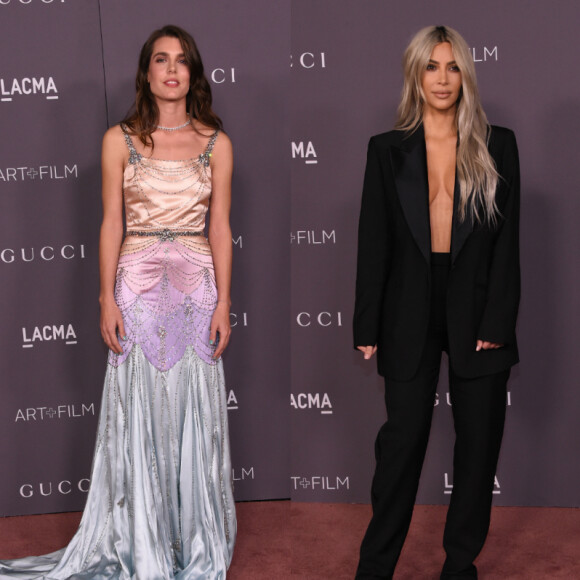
{"x": 438, "y": 270}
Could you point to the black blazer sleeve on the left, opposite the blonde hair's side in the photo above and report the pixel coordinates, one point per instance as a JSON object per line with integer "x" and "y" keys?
{"x": 372, "y": 252}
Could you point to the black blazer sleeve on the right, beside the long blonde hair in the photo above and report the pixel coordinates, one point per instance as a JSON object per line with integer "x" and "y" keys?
{"x": 498, "y": 322}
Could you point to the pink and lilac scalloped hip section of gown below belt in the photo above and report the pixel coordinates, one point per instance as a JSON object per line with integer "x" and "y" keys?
{"x": 167, "y": 296}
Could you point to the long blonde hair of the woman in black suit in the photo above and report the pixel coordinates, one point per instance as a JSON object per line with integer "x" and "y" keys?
{"x": 476, "y": 170}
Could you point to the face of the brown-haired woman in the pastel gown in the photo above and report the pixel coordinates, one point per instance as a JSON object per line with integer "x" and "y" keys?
{"x": 168, "y": 73}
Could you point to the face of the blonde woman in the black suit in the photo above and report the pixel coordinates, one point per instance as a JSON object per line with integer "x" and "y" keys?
{"x": 441, "y": 80}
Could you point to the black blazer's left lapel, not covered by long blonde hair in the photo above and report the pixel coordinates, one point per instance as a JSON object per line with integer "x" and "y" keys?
{"x": 410, "y": 172}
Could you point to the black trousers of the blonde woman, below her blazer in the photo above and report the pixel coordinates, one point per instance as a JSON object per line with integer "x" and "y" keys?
{"x": 478, "y": 407}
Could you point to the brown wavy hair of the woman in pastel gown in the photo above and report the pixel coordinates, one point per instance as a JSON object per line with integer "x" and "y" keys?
{"x": 143, "y": 117}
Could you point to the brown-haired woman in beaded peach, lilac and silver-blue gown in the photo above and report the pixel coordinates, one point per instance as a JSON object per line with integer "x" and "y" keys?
{"x": 160, "y": 503}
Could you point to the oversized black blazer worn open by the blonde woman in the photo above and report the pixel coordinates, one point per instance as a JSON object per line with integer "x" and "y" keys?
{"x": 393, "y": 268}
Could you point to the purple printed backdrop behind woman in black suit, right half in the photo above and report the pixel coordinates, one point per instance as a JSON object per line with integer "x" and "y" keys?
{"x": 346, "y": 80}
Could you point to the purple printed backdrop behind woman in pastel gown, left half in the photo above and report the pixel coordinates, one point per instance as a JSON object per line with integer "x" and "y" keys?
{"x": 67, "y": 72}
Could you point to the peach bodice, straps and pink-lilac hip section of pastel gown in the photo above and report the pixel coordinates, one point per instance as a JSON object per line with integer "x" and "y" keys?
{"x": 165, "y": 284}
